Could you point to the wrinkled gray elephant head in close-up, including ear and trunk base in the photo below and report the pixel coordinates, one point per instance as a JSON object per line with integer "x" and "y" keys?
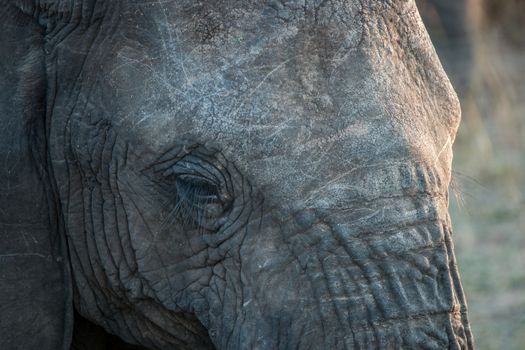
{"x": 229, "y": 174}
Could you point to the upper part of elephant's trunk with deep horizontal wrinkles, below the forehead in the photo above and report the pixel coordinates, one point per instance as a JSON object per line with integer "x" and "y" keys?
{"x": 375, "y": 274}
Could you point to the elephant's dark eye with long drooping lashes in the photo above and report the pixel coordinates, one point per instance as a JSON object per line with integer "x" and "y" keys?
{"x": 200, "y": 201}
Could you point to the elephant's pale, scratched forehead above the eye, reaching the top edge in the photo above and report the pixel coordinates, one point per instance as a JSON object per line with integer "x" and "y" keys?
{"x": 291, "y": 98}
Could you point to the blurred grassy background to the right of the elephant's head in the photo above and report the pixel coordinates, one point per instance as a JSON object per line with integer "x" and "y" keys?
{"x": 481, "y": 44}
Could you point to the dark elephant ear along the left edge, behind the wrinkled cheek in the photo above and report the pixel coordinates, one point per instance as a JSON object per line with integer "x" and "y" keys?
{"x": 35, "y": 288}
